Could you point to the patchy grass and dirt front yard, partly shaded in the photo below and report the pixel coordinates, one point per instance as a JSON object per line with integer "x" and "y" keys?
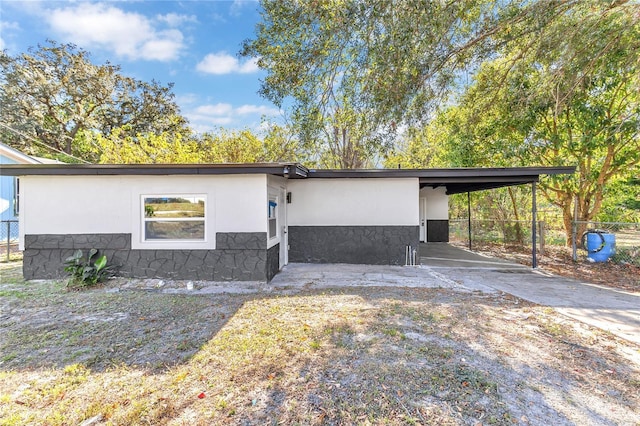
{"x": 338, "y": 356}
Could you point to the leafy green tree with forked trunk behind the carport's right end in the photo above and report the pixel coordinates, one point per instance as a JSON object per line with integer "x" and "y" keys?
{"x": 532, "y": 115}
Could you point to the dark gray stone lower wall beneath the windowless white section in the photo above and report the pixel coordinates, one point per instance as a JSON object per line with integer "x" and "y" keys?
{"x": 373, "y": 245}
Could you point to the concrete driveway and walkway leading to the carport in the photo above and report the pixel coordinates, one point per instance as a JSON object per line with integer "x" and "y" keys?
{"x": 445, "y": 266}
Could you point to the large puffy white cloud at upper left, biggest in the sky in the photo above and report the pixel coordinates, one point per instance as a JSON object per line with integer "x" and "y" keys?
{"x": 129, "y": 35}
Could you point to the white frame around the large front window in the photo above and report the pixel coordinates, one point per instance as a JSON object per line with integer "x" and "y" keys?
{"x": 173, "y": 244}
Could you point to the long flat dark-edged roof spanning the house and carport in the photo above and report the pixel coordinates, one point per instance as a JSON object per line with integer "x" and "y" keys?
{"x": 456, "y": 180}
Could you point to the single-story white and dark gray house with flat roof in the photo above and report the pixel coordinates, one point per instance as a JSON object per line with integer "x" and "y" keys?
{"x": 237, "y": 221}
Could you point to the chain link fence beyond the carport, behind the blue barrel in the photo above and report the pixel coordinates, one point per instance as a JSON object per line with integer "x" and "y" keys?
{"x": 519, "y": 233}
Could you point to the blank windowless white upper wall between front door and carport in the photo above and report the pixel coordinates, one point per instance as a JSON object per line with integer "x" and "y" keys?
{"x": 344, "y": 202}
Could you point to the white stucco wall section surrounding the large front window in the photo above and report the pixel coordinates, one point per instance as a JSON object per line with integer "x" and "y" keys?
{"x": 111, "y": 204}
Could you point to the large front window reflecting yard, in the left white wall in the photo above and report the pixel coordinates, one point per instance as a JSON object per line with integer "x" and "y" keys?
{"x": 175, "y": 217}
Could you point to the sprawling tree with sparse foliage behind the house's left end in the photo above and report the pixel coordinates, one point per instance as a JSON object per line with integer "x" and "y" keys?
{"x": 54, "y": 93}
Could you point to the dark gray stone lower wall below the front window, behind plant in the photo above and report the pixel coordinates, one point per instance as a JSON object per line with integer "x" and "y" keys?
{"x": 237, "y": 257}
